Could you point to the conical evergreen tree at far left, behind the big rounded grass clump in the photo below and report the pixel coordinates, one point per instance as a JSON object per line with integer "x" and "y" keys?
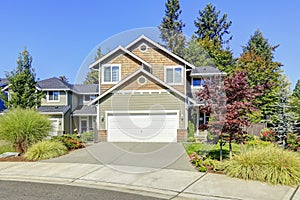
{"x": 23, "y": 85}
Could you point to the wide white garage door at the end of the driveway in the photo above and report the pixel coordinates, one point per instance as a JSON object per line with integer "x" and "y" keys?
{"x": 142, "y": 127}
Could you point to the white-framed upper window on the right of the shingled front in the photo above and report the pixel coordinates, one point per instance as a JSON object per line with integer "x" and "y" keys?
{"x": 174, "y": 75}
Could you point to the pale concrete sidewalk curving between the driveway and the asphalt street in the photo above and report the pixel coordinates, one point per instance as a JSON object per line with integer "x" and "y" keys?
{"x": 161, "y": 183}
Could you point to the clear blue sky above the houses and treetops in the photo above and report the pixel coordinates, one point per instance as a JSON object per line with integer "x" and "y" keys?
{"x": 61, "y": 33}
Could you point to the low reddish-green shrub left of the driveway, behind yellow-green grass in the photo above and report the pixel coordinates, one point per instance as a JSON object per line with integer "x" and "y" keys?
{"x": 69, "y": 140}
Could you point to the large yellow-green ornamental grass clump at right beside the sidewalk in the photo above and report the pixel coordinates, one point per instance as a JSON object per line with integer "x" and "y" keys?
{"x": 269, "y": 164}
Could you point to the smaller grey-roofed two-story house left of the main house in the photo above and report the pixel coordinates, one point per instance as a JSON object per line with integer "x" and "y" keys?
{"x": 65, "y": 104}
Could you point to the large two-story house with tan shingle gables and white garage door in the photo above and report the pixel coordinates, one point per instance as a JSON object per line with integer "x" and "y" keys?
{"x": 145, "y": 93}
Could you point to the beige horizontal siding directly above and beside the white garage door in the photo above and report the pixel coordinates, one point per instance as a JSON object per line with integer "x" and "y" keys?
{"x": 134, "y": 102}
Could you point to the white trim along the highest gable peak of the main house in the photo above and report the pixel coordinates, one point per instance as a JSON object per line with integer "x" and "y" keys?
{"x": 142, "y": 37}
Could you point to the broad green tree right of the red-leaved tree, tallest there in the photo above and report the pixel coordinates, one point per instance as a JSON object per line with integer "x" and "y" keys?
{"x": 264, "y": 74}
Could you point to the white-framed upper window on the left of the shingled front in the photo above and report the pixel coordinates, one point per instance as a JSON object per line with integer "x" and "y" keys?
{"x": 111, "y": 73}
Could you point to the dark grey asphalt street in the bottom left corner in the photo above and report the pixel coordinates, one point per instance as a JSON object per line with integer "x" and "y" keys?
{"x": 14, "y": 190}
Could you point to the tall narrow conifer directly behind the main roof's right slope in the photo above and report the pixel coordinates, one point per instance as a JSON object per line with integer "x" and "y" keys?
{"x": 171, "y": 28}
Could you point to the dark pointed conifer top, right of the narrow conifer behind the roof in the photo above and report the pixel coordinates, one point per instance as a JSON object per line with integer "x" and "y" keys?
{"x": 210, "y": 25}
